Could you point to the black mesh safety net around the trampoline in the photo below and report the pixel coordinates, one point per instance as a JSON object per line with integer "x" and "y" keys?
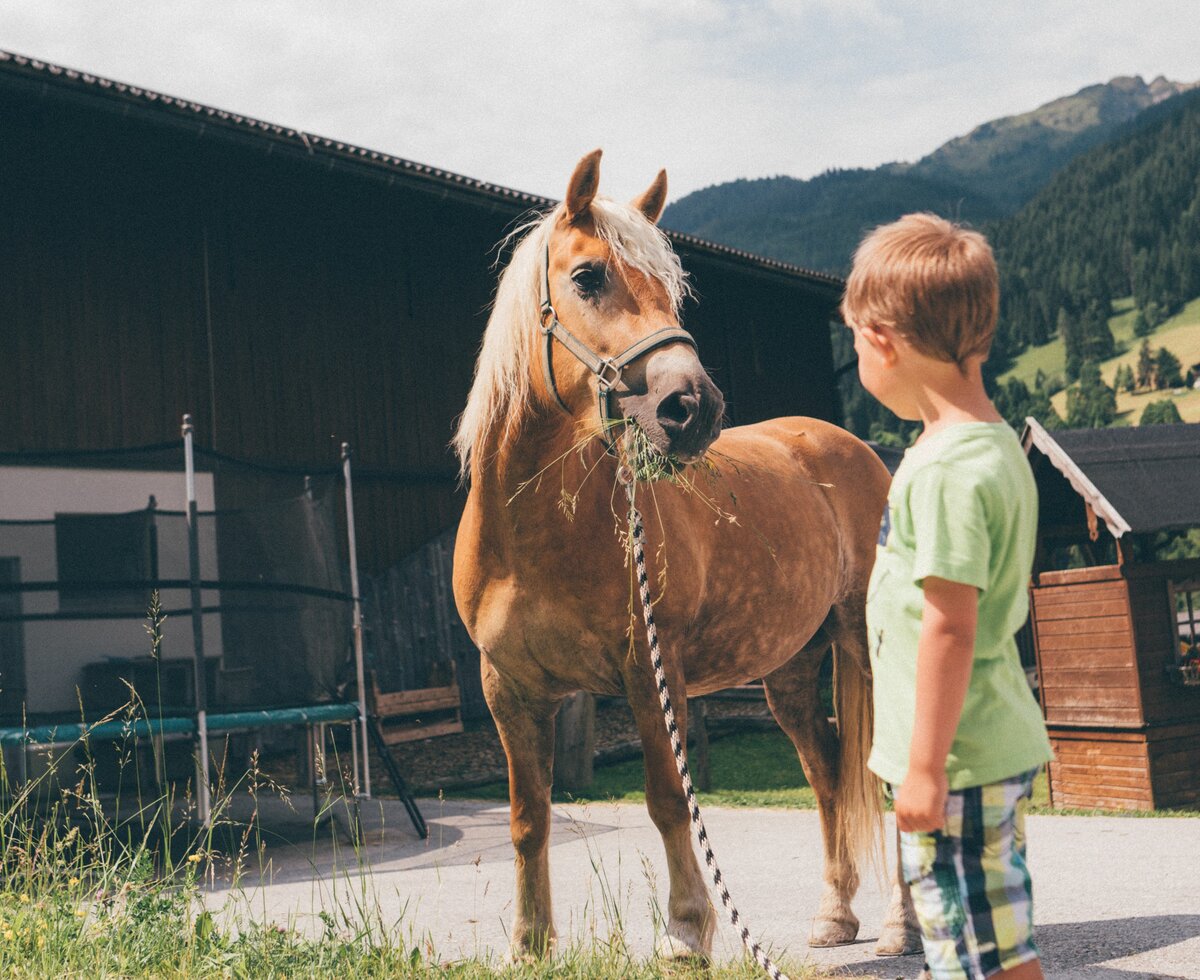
{"x": 86, "y": 539}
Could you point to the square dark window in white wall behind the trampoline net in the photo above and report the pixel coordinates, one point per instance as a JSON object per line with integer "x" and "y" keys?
{"x": 106, "y": 562}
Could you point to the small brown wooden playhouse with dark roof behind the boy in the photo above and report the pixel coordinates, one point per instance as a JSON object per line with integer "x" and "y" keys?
{"x": 1117, "y": 630}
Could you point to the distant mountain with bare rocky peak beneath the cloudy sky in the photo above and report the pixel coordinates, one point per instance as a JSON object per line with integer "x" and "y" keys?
{"x": 976, "y": 178}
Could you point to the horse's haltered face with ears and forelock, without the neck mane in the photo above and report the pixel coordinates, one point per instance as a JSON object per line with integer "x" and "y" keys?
{"x": 616, "y": 286}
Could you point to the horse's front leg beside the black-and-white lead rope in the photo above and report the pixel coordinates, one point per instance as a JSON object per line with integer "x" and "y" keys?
{"x": 691, "y": 916}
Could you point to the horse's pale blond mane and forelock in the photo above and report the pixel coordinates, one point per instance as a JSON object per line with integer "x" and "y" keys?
{"x": 501, "y": 394}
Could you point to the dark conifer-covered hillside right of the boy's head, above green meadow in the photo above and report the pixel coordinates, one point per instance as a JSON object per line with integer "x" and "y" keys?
{"x": 1123, "y": 220}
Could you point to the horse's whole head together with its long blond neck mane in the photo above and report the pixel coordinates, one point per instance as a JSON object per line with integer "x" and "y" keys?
{"x": 590, "y": 303}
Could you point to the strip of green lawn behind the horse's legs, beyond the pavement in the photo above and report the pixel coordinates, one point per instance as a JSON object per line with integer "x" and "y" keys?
{"x": 754, "y": 769}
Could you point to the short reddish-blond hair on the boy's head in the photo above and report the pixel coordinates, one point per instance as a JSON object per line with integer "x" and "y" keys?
{"x": 933, "y": 281}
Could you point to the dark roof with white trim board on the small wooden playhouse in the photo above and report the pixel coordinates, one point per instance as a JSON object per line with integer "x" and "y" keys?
{"x": 1138, "y": 479}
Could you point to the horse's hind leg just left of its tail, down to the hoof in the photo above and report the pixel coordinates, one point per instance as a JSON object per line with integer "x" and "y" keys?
{"x": 794, "y": 698}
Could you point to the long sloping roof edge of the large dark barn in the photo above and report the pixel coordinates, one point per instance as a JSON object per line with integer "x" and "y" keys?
{"x": 207, "y": 121}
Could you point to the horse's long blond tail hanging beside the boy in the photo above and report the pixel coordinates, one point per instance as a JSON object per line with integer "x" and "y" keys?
{"x": 860, "y": 813}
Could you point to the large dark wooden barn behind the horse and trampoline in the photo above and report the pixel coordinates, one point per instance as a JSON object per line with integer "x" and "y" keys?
{"x": 292, "y": 292}
